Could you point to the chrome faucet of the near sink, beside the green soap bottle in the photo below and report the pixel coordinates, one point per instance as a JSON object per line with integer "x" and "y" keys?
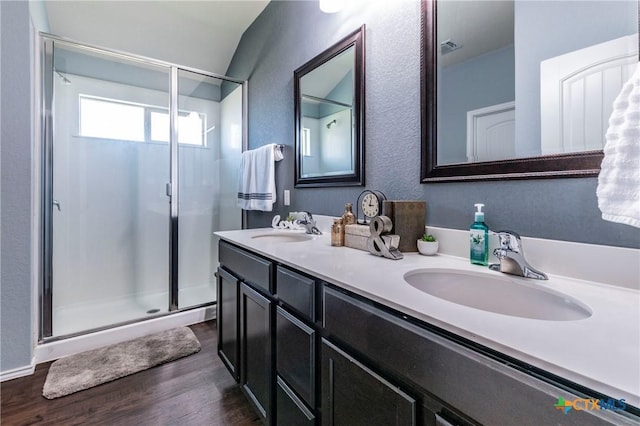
{"x": 512, "y": 259}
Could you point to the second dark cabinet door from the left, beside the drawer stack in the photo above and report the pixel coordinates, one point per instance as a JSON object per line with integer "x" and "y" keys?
{"x": 256, "y": 348}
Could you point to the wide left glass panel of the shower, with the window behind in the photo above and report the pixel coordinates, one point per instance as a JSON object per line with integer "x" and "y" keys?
{"x": 109, "y": 165}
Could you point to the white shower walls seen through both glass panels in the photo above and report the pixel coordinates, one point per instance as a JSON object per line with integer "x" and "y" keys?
{"x": 111, "y": 243}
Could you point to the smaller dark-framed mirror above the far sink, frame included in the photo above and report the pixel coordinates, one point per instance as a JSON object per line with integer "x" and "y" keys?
{"x": 329, "y": 116}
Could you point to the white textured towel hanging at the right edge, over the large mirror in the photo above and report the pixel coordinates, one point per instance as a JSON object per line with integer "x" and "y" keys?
{"x": 619, "y": 180}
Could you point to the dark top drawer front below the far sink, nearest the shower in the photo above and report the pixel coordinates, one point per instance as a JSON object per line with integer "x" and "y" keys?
{"x": 247, "y": 266}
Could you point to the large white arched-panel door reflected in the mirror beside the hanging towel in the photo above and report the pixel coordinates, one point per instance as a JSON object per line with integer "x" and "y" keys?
{"x": 577, "y": 90}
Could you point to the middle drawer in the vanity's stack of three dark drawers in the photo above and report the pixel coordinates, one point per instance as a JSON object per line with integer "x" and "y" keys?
{"x": 296, "y": 355}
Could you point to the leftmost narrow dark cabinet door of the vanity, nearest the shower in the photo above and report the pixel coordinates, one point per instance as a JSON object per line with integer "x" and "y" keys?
{"x": 227, "y": 322}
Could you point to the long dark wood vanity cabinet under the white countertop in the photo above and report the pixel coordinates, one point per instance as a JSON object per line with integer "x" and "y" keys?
{"x": 306, "y": 352}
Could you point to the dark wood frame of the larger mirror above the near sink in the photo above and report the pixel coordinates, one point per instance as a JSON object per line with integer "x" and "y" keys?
{"x": 582, "y": 164}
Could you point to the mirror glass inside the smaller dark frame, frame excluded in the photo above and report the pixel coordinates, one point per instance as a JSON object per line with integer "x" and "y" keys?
{"x": 327, "y": 117}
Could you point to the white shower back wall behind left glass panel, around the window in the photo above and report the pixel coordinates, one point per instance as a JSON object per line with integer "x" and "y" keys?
{"x": 112, "y": 204}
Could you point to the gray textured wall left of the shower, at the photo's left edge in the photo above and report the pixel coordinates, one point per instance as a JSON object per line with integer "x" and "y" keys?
{"x": 15, "y": 224}
